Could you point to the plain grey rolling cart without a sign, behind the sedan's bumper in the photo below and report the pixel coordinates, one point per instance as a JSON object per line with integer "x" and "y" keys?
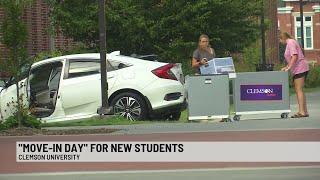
{"x": 208, "y": 97}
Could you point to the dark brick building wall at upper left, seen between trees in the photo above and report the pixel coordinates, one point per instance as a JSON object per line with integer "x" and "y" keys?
{"x": 39, "y": 40}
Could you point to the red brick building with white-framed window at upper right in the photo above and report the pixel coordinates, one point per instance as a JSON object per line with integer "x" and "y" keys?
{"x": 289, "y": 21}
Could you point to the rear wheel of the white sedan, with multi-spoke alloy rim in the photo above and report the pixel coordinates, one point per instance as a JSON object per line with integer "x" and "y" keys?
{"x": 129, "y": 105}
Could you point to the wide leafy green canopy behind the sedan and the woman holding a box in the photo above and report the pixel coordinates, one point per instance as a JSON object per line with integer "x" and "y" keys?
{"x": 169, "y": 28}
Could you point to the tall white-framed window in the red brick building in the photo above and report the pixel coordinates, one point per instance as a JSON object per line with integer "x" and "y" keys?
{"x": 307, "y": 31}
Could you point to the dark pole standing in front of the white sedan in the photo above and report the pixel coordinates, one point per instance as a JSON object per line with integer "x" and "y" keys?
{"x": 104, "y": 109}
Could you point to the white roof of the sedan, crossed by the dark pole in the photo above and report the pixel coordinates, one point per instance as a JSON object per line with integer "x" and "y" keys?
{"x": 122, "y": 58}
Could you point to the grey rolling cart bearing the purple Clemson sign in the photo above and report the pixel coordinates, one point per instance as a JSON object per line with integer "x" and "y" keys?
{"x": 261, "y": 92}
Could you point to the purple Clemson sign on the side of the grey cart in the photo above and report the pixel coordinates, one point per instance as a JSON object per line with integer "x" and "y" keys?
{"x": 261, "y": 92}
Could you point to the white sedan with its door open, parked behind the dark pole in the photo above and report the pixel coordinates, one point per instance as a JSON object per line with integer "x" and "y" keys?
{"x": 68, "y": 87}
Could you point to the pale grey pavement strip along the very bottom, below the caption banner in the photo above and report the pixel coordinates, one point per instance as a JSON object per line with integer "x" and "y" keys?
{"x": 280, "y": 173}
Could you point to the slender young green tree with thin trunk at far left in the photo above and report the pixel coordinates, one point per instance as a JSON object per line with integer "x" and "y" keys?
{"x": 14, "y": 37}
